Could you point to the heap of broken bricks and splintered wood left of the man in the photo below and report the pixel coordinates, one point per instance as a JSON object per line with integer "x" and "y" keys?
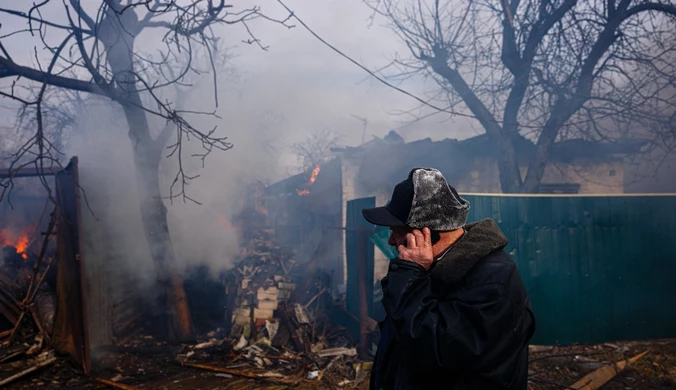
{"x": 278, "y": 329}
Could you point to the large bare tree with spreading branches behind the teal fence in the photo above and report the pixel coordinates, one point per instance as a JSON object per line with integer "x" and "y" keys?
{"x": 549, "y": 70}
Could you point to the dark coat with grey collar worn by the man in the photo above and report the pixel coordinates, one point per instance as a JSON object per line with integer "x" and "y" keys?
{"x": 464, "y": 324}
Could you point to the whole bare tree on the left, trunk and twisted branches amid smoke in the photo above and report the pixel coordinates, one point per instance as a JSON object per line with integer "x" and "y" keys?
{"x": 97, "y": 54}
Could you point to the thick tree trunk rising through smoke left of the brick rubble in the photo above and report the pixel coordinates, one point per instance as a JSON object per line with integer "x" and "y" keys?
{"x": 114, "y": 32}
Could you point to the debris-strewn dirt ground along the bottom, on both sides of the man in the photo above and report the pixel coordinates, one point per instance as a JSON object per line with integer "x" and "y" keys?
{"x": 549, "y": 368}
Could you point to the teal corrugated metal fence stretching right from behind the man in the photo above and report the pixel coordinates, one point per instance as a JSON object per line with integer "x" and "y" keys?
{"x": 597, "y": 268}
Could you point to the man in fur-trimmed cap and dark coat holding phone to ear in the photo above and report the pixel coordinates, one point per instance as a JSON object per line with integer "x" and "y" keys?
{"x": 458, "y": 315}
